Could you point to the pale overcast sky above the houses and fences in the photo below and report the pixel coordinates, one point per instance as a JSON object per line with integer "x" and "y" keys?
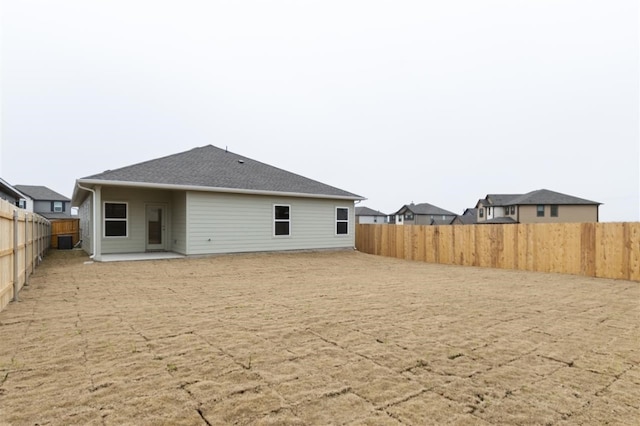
{"x": 397, "y": 101}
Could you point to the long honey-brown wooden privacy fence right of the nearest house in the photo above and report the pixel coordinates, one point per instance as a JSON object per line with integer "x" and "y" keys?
{"x": 604, "y": 250}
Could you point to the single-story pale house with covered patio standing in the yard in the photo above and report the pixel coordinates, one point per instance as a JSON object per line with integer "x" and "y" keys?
{"x": 209, "y": 200}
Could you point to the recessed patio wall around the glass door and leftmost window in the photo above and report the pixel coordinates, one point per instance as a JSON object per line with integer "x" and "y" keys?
{"x": 136, "y": 199}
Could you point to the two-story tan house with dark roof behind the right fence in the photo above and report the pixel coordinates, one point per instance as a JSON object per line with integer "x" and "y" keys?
{"x": 540, "y": 206}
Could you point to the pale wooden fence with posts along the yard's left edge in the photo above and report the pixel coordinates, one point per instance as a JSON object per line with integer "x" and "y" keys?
{"x": 24, "y": 239}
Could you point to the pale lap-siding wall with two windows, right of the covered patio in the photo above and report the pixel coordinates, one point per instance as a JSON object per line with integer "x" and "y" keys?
{"x": 228, "y": 223}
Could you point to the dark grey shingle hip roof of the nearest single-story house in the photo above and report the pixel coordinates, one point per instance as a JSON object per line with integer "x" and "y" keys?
{"x": 212, "y": 167}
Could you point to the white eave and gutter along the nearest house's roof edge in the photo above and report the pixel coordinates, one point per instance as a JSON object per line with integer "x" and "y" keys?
{"x": 77, "y": 198}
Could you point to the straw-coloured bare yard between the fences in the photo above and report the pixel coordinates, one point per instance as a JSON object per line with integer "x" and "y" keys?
{"x": 316, "y": 338}
